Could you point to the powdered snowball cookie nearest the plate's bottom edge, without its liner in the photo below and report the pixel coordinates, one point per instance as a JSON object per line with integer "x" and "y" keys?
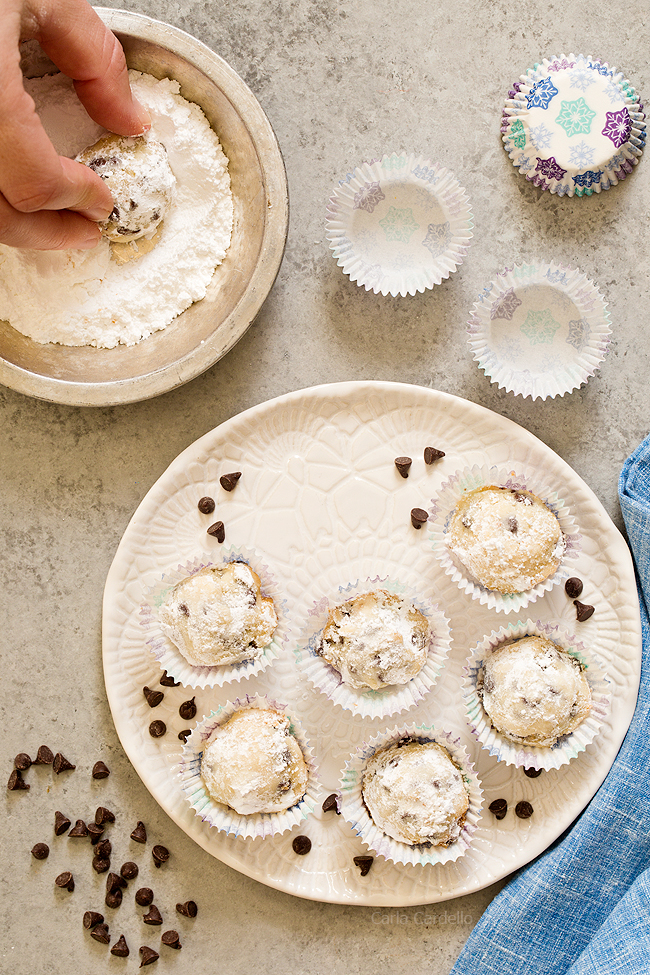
{"x": 415, "y": 793}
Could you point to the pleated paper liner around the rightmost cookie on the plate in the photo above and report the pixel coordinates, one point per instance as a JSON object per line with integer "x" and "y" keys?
{"x": 531, "y": 756}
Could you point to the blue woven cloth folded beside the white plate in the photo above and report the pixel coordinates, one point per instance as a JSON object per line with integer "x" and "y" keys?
{"x": 583, "y": 907}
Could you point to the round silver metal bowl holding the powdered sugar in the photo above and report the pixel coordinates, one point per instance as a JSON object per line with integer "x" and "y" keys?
{"x": 202, "y": 334}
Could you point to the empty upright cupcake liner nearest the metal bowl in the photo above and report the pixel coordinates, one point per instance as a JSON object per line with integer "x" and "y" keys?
{"x": 399, "y": 225}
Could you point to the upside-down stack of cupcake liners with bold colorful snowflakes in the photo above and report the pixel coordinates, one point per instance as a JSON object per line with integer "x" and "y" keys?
{"x": 573, "y": 125}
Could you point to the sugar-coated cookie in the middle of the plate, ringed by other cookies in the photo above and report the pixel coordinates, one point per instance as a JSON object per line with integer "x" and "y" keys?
{"x": 375, "y": 640}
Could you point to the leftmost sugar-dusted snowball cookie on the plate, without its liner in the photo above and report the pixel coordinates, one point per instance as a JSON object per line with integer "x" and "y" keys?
{"x": 219, "y": 616}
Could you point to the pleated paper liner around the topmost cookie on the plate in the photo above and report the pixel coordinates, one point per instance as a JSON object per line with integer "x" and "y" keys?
{"x": 442, "y": 510}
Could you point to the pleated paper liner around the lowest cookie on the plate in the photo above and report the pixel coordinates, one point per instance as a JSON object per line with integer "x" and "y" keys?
{"x": 355, "y": 812}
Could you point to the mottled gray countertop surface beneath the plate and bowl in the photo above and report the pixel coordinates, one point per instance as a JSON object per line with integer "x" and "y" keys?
{"x": 340, "y": 82}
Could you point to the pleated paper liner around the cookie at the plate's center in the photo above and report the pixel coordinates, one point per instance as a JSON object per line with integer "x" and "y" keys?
{"x": 386, "y": 701}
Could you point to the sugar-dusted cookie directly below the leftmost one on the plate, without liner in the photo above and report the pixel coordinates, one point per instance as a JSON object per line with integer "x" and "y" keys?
{"x": 254, "y": 764}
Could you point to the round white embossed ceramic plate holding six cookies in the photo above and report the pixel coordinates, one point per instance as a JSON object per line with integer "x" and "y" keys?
{"x": 320, "y": 497}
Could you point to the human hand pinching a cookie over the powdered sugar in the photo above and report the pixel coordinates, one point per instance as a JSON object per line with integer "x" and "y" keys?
{"x": 48, "y": 202}
